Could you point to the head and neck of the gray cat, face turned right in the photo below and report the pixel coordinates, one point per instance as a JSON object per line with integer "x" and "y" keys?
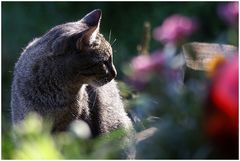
{"x": 80, "y": 52}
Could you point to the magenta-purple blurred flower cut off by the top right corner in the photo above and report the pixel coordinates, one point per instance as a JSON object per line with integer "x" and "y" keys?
{"x": 229, "y": 13}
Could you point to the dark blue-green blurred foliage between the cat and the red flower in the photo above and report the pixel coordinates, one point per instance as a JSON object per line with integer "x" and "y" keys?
{"x": 176, "y": 112}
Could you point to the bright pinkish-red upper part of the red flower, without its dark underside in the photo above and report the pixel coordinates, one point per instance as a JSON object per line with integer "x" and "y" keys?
{"x": 225, "y": 88}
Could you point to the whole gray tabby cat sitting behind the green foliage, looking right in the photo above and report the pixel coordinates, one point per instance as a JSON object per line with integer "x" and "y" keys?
{"x": 67, "y": 74}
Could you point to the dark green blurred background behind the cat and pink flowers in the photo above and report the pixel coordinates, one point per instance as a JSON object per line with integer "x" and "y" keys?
{"x": 23, "y": 21}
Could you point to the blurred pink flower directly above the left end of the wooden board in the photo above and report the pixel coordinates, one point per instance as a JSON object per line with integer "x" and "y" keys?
{"x": 175, "y": 28}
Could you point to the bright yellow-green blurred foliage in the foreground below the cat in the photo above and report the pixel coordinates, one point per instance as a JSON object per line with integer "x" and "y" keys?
{"x": 32, "y": 139}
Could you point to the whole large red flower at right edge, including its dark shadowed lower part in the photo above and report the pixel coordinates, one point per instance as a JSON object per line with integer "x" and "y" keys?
{"x": 221, "y": 116}
